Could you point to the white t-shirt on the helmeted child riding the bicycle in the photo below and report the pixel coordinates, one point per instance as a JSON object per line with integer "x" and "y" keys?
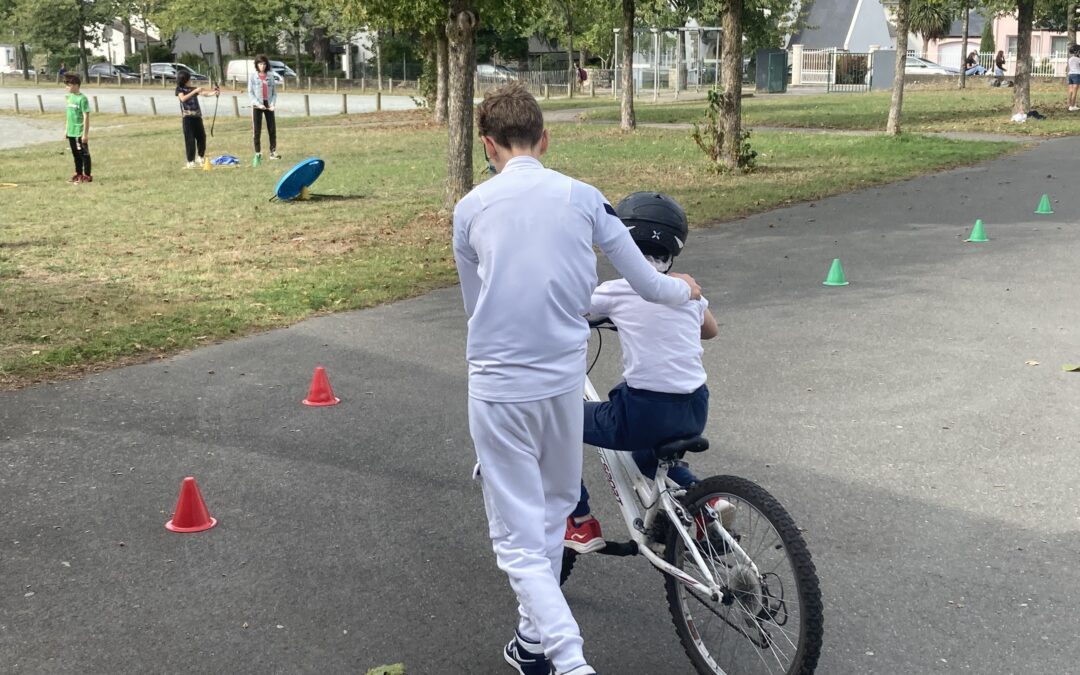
{"x": 661, "y": 344}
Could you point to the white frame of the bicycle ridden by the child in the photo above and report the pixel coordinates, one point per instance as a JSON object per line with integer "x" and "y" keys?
{"x": 642, "y": 502}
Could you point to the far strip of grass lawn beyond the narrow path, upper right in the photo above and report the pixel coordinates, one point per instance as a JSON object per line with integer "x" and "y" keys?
{"x": 979, "y": 109}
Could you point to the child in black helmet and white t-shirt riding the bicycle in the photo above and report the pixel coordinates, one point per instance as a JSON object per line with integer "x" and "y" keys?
{"x": 664, "y": 397}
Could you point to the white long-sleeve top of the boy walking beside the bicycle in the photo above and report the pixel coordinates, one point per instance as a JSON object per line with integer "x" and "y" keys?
{"x": 523, "y": 242}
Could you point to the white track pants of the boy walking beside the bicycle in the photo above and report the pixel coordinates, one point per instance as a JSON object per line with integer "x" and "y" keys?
{"x": 531, "y": 469}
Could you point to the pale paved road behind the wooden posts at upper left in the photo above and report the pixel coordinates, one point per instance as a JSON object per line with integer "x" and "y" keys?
{"x": 139, "y": 102}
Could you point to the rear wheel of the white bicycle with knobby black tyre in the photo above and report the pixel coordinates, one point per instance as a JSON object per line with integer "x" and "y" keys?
{"x": 768, "y": 623}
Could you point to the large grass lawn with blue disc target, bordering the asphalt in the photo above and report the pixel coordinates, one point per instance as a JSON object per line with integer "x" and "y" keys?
{"x": 151, "y": 259}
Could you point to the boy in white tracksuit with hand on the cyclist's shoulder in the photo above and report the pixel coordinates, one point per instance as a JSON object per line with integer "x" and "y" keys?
{"x": 524, "y": 242}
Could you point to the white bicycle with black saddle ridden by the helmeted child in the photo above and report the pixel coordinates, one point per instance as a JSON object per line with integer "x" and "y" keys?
{"x": 726, "y": 547}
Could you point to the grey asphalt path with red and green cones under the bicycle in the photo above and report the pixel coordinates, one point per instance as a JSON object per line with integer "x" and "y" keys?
{"x": 902, "y": 421}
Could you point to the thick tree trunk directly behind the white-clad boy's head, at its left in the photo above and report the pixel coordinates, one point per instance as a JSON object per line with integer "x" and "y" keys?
{"x": 462, "y": 51}
